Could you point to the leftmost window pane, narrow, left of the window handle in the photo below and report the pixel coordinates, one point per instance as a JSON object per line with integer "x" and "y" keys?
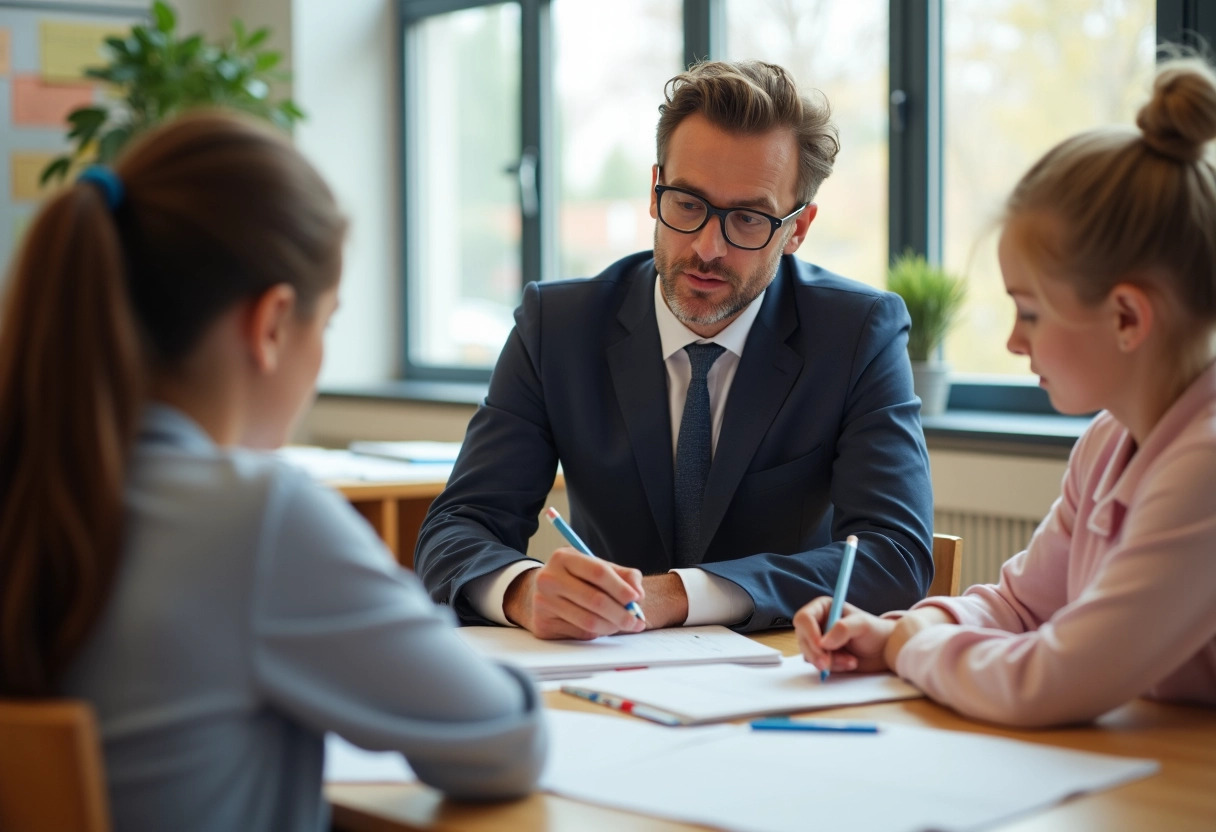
{"x": 464, "y": 201}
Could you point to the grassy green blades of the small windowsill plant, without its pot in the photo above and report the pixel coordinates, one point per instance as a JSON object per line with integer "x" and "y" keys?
{"x": 933, "y": 296}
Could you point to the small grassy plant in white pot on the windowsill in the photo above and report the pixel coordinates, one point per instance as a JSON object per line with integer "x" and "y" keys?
{"x": 934, "y": 299}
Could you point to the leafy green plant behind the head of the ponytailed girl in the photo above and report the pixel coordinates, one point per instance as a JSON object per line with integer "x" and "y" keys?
{"x": 157, "y": 75}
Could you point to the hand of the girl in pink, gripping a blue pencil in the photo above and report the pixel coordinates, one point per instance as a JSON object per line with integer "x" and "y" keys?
{"x": 855, "y": 642}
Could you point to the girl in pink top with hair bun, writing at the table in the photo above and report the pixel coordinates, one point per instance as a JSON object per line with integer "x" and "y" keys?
{"x": 1108, "y": 250}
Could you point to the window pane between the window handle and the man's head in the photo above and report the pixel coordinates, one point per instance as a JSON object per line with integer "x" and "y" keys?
{"x": 613, "y": 60}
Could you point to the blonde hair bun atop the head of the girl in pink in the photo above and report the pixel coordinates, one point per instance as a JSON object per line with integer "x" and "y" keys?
{"x": 1180, "y": 120}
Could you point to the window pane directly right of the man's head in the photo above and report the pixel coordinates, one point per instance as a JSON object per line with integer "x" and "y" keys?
{"x": 841, "y": 49}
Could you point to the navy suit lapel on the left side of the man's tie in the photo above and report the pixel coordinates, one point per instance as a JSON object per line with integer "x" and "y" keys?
{"x": 641, "y": 384}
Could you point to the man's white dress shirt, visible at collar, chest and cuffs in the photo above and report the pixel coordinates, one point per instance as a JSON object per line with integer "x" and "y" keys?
{"x": 712, "y": 600}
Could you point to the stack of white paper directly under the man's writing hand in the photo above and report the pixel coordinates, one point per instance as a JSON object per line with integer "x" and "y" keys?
{"x": 571, "y": 659}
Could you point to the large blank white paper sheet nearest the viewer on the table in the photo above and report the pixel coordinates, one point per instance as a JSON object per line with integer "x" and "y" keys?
{"x": 904, "y": 779}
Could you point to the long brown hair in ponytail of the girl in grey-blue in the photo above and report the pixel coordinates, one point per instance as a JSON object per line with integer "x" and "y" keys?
{"x": 217, "y": 210}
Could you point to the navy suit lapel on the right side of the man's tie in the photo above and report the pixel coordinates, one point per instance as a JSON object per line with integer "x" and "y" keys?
{"x": 765, "y": 375}
